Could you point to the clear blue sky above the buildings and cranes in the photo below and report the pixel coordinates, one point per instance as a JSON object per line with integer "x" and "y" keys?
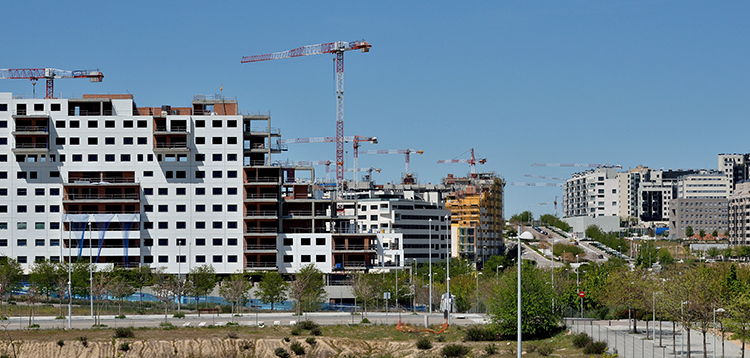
{"x": 659, "y": 83}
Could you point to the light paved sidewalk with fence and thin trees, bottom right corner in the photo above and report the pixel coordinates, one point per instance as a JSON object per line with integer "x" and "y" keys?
{"x": 627, "y": 345}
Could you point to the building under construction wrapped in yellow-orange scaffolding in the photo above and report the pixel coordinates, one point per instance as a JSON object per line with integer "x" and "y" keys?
{"x": 477, "y": 221}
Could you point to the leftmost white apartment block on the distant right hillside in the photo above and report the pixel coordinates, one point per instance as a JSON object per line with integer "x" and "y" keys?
{"x": 592, "y": 193}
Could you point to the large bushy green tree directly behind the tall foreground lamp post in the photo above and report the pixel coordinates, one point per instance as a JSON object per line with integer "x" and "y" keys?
{"x": 537, "y": 316}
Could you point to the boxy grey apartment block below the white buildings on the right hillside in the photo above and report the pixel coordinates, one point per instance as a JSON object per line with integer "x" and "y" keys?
{"x": 707, "y": 214}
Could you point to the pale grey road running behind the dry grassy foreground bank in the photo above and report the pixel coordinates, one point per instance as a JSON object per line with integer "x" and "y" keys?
{"x": 268, "y": 319}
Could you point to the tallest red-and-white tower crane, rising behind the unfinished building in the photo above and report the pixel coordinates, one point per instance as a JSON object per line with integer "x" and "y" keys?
{"x": 338, "y": 48}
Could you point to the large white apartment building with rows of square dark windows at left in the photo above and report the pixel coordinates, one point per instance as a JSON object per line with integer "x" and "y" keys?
{"x": 122, "y": 185}
